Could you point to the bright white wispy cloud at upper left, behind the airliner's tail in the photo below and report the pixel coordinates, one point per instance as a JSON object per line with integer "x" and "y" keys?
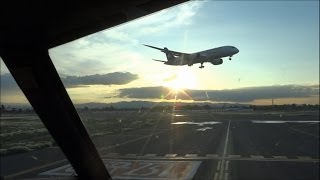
{"x": 119, "y": 48}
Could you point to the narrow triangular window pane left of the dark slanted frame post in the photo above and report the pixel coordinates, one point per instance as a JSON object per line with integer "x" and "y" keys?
{"x": 25, "y": 144}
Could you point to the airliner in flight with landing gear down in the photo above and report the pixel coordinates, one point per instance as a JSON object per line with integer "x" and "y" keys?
{"x": 213, "y": 56}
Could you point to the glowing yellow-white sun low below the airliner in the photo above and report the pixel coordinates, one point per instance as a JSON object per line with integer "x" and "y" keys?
{"x": 180, "y": 80}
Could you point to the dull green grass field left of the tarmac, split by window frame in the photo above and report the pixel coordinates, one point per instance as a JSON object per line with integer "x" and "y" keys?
{"x": 22, "y": 133}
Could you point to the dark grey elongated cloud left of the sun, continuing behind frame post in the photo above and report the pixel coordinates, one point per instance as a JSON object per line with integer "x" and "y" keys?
{"x": 115, "y": 78}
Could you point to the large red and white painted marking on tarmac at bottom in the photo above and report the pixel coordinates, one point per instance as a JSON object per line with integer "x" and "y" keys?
{"x": 138, "y": 169}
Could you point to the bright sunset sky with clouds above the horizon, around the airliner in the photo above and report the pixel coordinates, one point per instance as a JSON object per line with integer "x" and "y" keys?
{"x": 278, "y": 58}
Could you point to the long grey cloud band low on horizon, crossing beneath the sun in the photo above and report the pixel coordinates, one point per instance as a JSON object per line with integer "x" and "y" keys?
{"x": 229, "y": 95}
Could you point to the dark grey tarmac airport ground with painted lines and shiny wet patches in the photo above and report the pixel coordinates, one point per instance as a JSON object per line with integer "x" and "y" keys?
{"x": 193, "y": 145}
